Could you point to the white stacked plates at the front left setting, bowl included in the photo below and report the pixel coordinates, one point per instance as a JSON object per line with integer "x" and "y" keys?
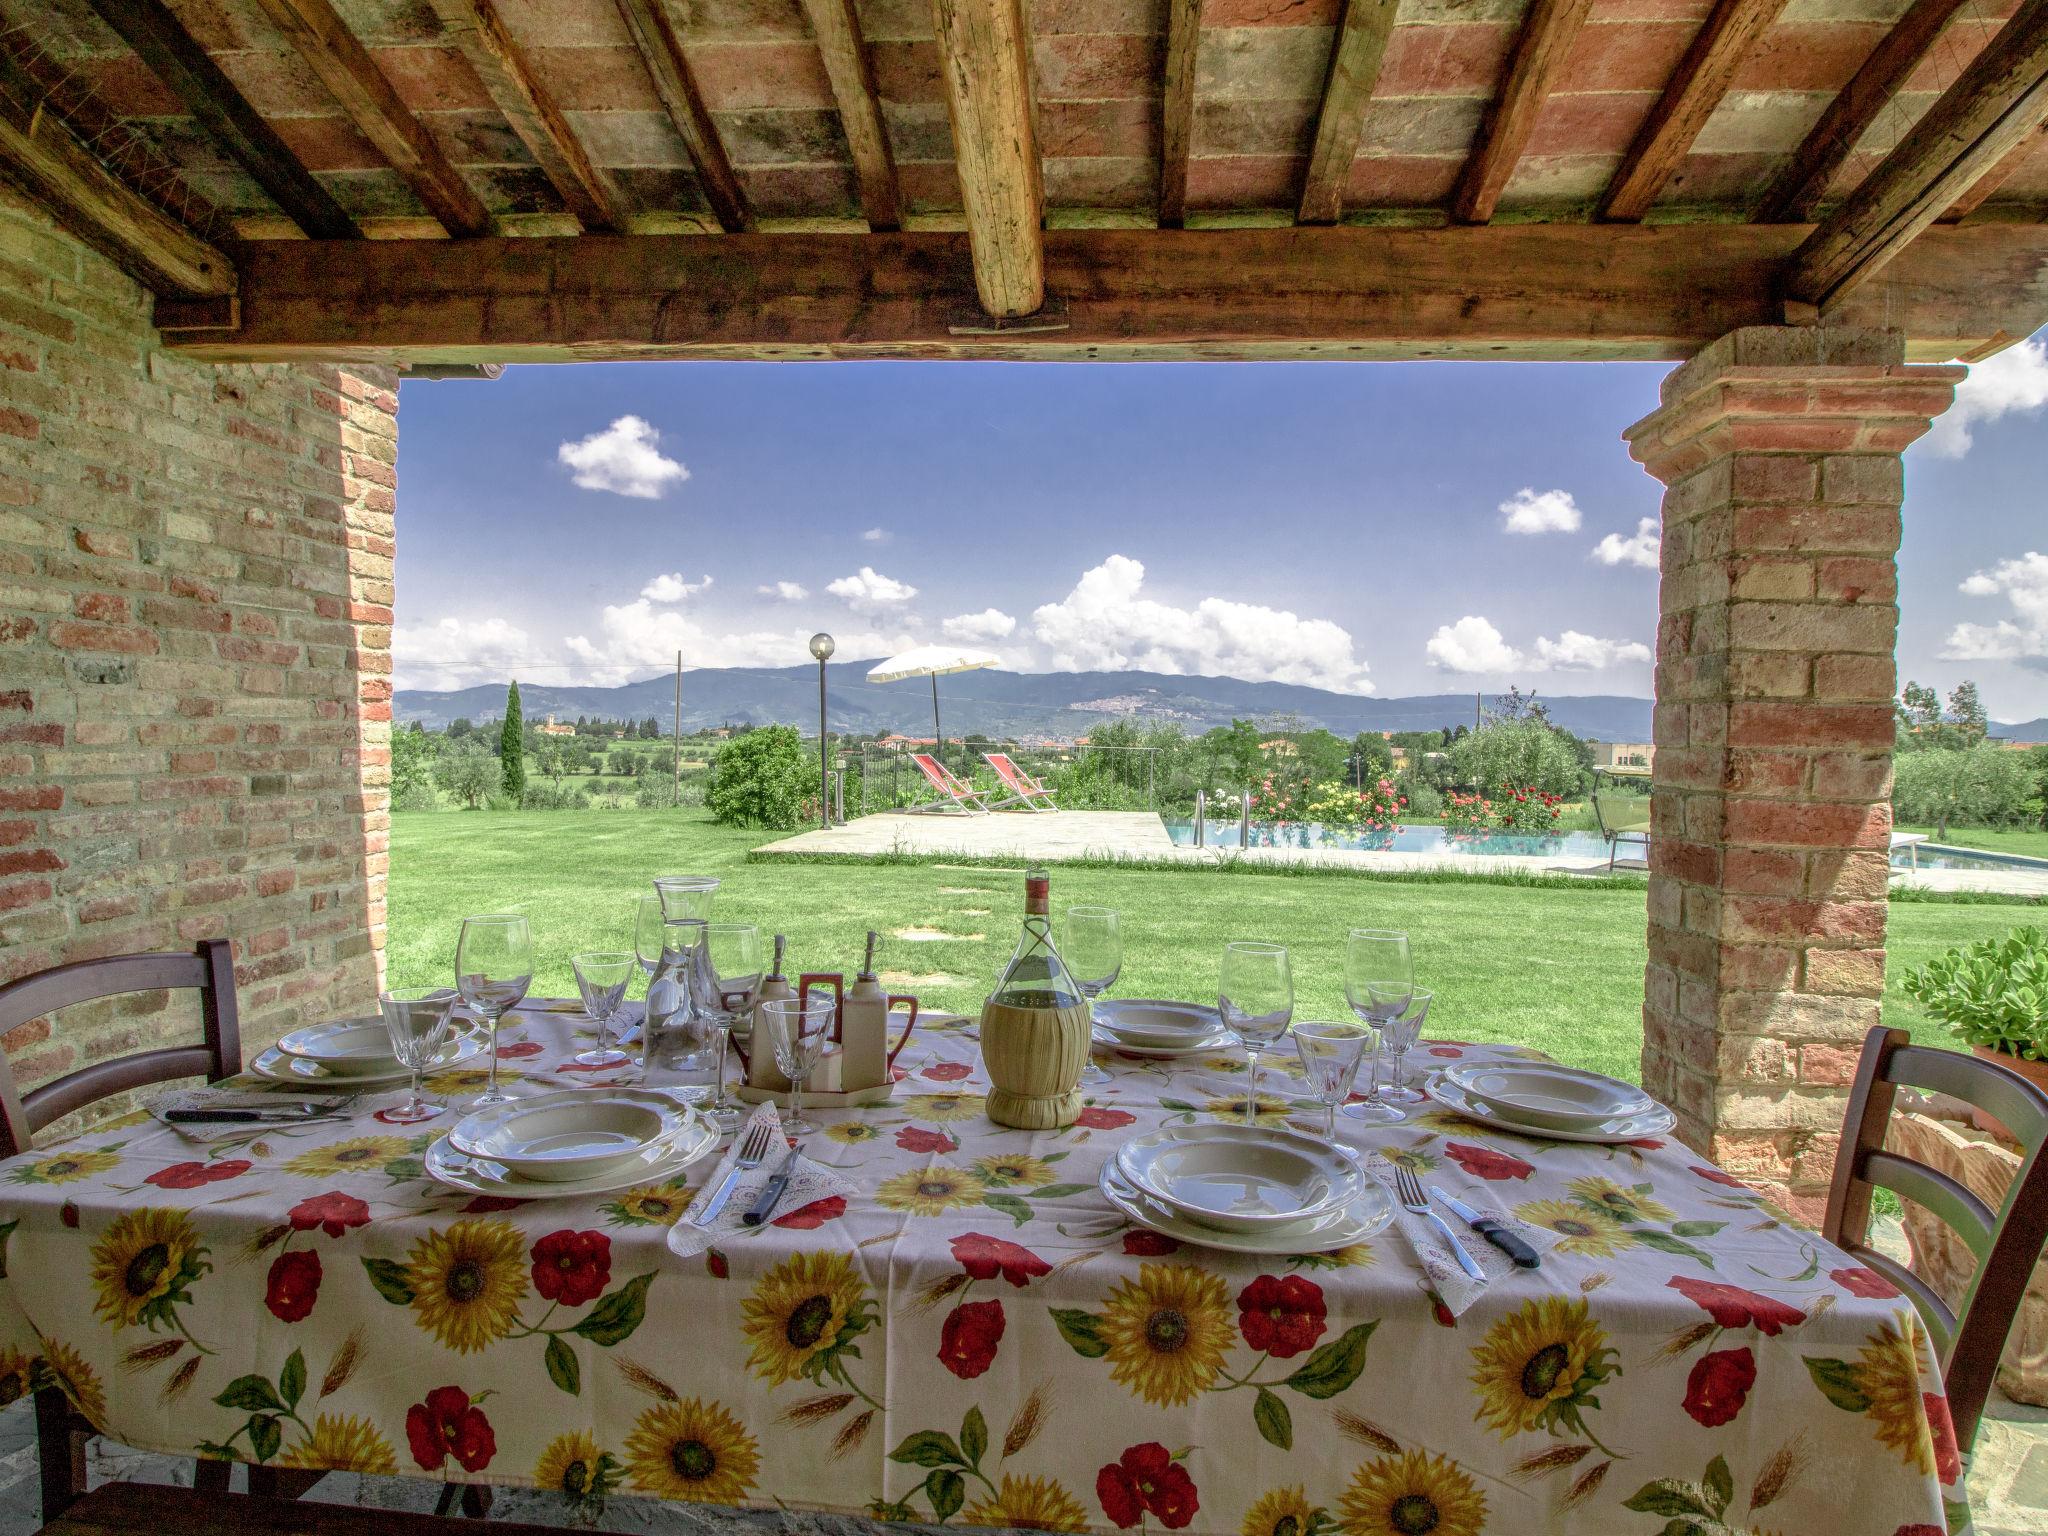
{"x": 570, "y": 1142}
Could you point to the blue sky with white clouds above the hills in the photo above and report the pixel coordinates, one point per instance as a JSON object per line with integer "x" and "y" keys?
{"x": 1369, "y": 527}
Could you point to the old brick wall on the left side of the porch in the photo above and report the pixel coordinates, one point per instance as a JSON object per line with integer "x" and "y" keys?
{"x": 196, "y": 652}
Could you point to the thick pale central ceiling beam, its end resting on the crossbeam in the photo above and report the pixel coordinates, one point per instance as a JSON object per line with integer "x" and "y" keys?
{"x": 984, "y": 50}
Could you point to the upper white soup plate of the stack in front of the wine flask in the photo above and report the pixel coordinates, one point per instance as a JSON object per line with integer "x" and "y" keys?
{"x": 1240, "y": 1177}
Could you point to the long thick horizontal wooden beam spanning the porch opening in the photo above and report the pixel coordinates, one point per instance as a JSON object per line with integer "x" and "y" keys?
{"x": 1486, "y": 292}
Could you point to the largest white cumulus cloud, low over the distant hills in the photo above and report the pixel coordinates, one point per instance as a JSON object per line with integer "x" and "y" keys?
{"x": 1107, "y": 624}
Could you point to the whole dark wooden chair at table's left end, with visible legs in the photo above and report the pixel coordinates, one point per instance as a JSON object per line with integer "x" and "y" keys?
{"x": 62, "y": 1431}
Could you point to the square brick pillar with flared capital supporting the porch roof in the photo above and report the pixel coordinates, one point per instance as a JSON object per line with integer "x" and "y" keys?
{"x": 1777, "y": 675}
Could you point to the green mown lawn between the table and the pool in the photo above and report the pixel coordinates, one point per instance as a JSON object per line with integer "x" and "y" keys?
{"x": 1555, "y": 968}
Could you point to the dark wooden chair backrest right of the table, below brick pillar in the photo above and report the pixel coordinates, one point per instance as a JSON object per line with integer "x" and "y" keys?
{"x": 2006, "y": 1242}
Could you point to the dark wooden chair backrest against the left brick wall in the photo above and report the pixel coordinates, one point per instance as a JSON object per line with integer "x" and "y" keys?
{"x": 210, "y": 972}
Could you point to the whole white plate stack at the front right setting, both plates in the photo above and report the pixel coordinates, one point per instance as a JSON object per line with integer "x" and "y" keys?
{"x": 1246, "y": 1189}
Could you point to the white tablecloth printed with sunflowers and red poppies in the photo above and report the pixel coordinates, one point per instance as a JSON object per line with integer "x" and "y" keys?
{"x": 976, "y": 1338}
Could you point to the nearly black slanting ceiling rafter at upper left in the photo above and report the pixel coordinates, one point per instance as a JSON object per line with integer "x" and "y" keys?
{"x": 237, "y": 128}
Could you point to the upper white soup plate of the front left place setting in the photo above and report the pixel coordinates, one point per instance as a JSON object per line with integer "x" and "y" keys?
{"x": 570, "y": 1136}
